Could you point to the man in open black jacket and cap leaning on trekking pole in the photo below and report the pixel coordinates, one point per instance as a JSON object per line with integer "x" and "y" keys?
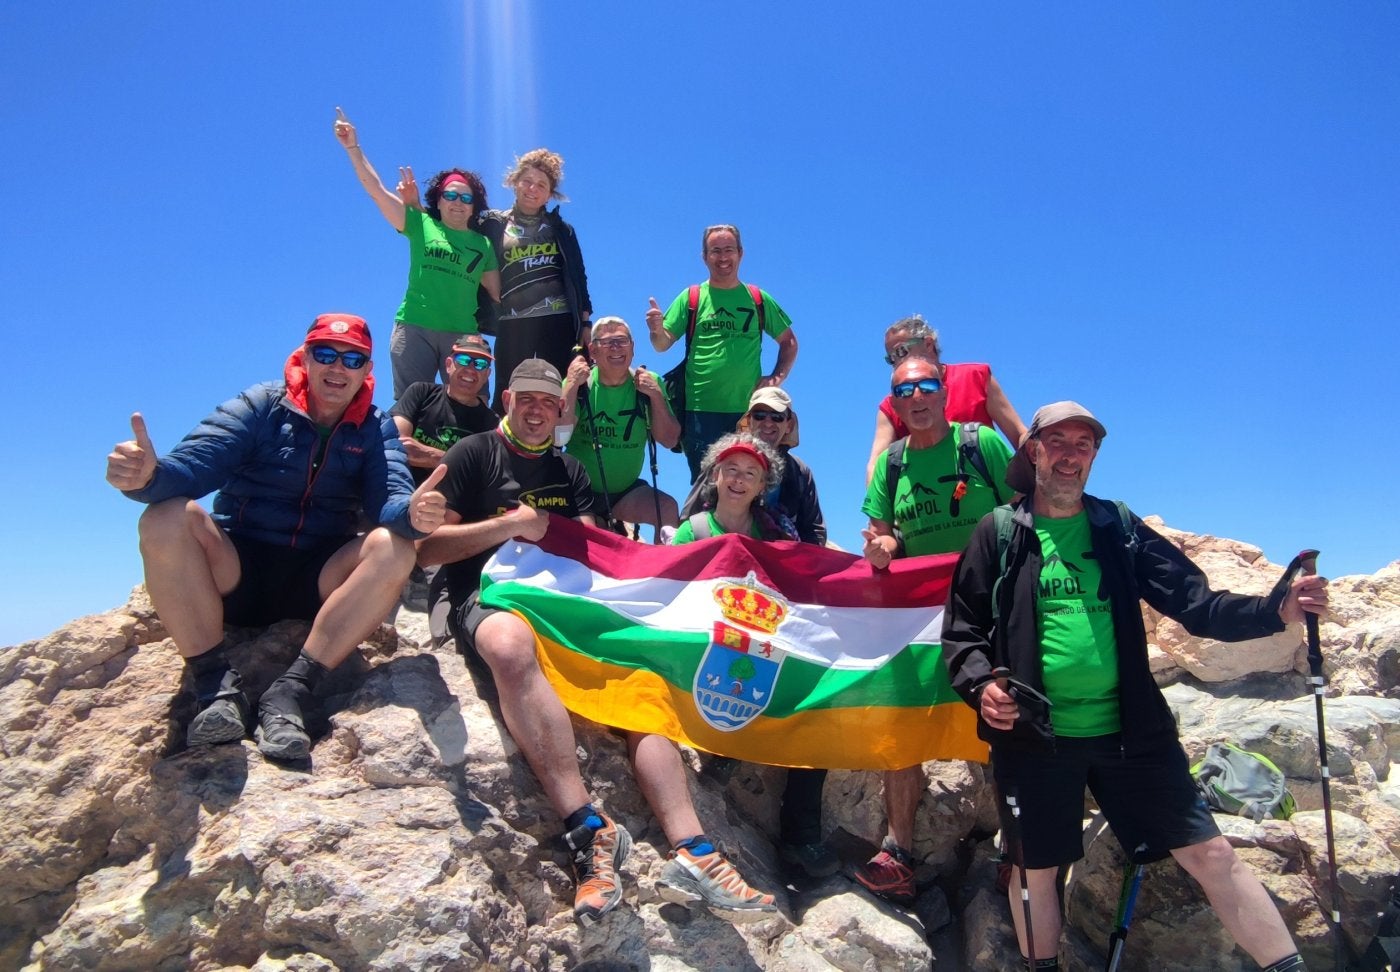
{"x": 1044, "y": 637}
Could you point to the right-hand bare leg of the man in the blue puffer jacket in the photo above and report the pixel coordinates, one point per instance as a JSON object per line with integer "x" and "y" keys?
{"x": 359, "y": 588}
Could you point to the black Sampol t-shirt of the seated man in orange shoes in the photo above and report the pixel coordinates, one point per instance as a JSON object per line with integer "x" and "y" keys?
{"x": 486, "y": 478}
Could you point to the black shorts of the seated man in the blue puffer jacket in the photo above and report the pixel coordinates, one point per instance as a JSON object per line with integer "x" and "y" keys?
{"x": 276, "y": 582}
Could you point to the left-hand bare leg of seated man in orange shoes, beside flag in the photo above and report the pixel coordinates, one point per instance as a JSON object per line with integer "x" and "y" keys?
{"x": 534, "y": 715}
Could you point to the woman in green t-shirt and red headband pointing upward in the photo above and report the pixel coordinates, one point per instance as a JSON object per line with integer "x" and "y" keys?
{"x": 449, "y": 260}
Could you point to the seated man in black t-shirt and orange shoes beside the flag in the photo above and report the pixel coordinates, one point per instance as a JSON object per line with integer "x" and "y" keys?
{"x": 502, "y": 485}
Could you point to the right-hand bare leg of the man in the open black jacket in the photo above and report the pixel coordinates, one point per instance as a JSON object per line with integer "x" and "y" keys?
{"x": 1240, "y": 900}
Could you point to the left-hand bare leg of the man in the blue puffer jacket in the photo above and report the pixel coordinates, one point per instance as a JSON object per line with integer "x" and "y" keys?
{"x": 190, "y": 567}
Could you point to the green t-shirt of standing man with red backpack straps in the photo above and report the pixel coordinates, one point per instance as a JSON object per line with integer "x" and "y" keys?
{"x": 724, "y": 362}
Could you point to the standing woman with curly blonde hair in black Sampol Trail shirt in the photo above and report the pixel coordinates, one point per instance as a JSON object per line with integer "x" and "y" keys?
{"x": 544, "y": 309}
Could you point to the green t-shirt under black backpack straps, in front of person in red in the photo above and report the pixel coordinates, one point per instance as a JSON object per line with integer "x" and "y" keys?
{"x": 923, "y": 501}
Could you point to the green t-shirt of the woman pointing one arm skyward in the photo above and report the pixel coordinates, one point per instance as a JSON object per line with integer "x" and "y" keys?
{"x": 446, "y": 268}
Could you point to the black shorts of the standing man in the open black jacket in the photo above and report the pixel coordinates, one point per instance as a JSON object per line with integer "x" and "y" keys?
{"x": 1149, "y": 799}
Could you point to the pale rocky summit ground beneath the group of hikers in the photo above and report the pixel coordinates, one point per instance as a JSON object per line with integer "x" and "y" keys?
{"x": 416, "y": 838}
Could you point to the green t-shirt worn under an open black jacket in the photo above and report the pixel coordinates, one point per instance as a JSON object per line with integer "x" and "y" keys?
{"x": 1079, "y": 651}
